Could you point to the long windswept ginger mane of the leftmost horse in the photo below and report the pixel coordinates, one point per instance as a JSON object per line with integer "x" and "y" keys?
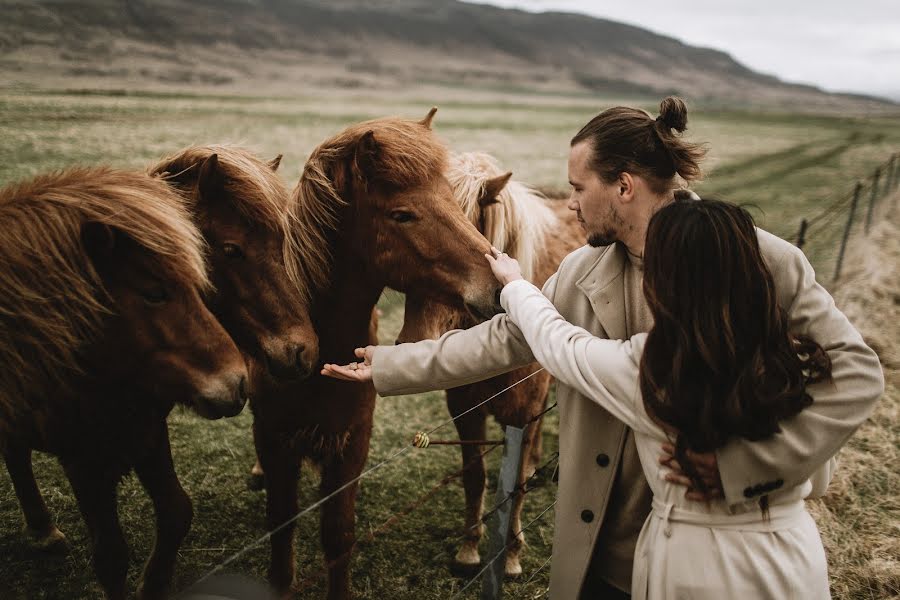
{"x": 53, "y": 299}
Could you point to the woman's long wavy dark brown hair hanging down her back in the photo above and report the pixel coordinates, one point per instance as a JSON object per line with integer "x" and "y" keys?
{"x": 719, "y": 362}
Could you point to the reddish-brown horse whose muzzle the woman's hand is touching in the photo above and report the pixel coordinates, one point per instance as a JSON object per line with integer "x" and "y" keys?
{"x": 374, "y": 209}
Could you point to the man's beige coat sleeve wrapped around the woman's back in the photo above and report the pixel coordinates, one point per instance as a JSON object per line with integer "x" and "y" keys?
{"x": 808, "y": 441}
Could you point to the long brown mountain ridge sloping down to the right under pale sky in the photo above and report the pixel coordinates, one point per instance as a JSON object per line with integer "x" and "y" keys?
{"x": 279, "y": 44}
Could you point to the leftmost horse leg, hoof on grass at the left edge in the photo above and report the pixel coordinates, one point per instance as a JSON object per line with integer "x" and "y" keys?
{"x": 39, "y": 525}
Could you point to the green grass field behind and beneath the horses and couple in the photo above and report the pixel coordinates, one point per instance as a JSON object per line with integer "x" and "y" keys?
{"x": 790, "y": 166}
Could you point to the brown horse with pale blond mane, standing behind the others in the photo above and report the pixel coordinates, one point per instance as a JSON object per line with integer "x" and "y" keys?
{"x": 538, "y": 233}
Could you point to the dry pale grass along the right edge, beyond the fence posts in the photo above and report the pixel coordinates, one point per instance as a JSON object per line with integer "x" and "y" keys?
{"x": 860, "y": 516}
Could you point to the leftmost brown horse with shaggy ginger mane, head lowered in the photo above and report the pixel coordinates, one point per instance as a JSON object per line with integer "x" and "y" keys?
{"x": 102, "y": 326}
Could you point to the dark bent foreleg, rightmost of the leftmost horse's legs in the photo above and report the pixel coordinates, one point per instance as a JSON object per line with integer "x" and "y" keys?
{"x": 173, "y": 514}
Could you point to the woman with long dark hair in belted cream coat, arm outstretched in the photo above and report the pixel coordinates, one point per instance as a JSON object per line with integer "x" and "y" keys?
{"x": 718, "y": 363}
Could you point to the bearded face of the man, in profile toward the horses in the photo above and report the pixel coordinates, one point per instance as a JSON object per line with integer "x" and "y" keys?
{"x": 593, "y": 200}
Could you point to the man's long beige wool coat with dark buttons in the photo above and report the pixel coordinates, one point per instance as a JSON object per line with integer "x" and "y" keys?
{"x": 588, "y": 291}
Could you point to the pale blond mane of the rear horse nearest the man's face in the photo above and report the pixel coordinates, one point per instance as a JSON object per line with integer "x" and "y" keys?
{"x": 517, "y": 224}
